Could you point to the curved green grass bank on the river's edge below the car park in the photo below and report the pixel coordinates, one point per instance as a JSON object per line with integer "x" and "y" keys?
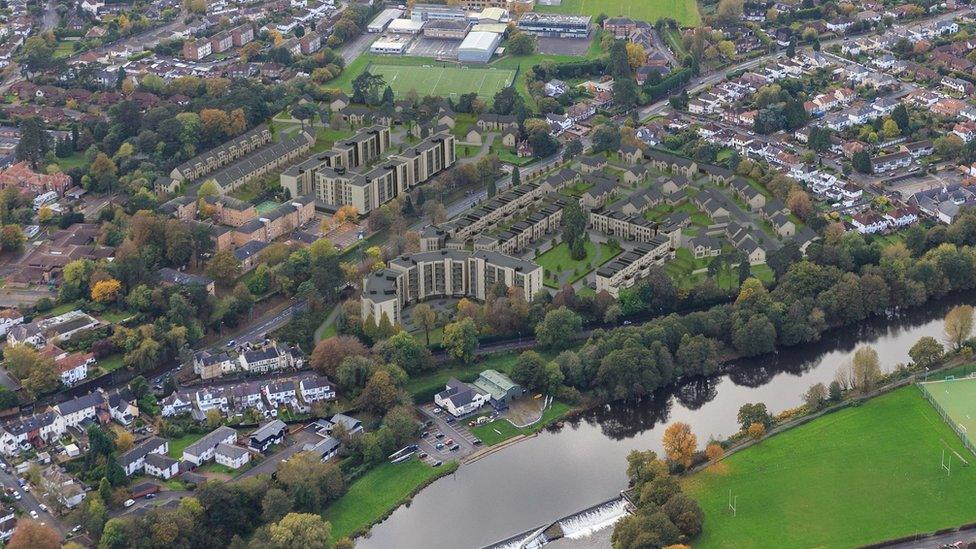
{"x": 373, "y": 496}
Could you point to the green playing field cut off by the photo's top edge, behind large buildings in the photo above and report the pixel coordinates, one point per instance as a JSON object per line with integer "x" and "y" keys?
{"x": 685, "y": 12}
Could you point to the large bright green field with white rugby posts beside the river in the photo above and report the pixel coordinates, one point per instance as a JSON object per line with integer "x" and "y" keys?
{"x": 860, "y": 475}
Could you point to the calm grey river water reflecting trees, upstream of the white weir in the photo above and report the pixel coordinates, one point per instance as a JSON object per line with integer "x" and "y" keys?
{"x": 562, "y": 471}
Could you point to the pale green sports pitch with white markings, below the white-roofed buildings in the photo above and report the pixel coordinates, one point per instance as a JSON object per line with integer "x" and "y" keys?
{"x": 445, "y": 81}
